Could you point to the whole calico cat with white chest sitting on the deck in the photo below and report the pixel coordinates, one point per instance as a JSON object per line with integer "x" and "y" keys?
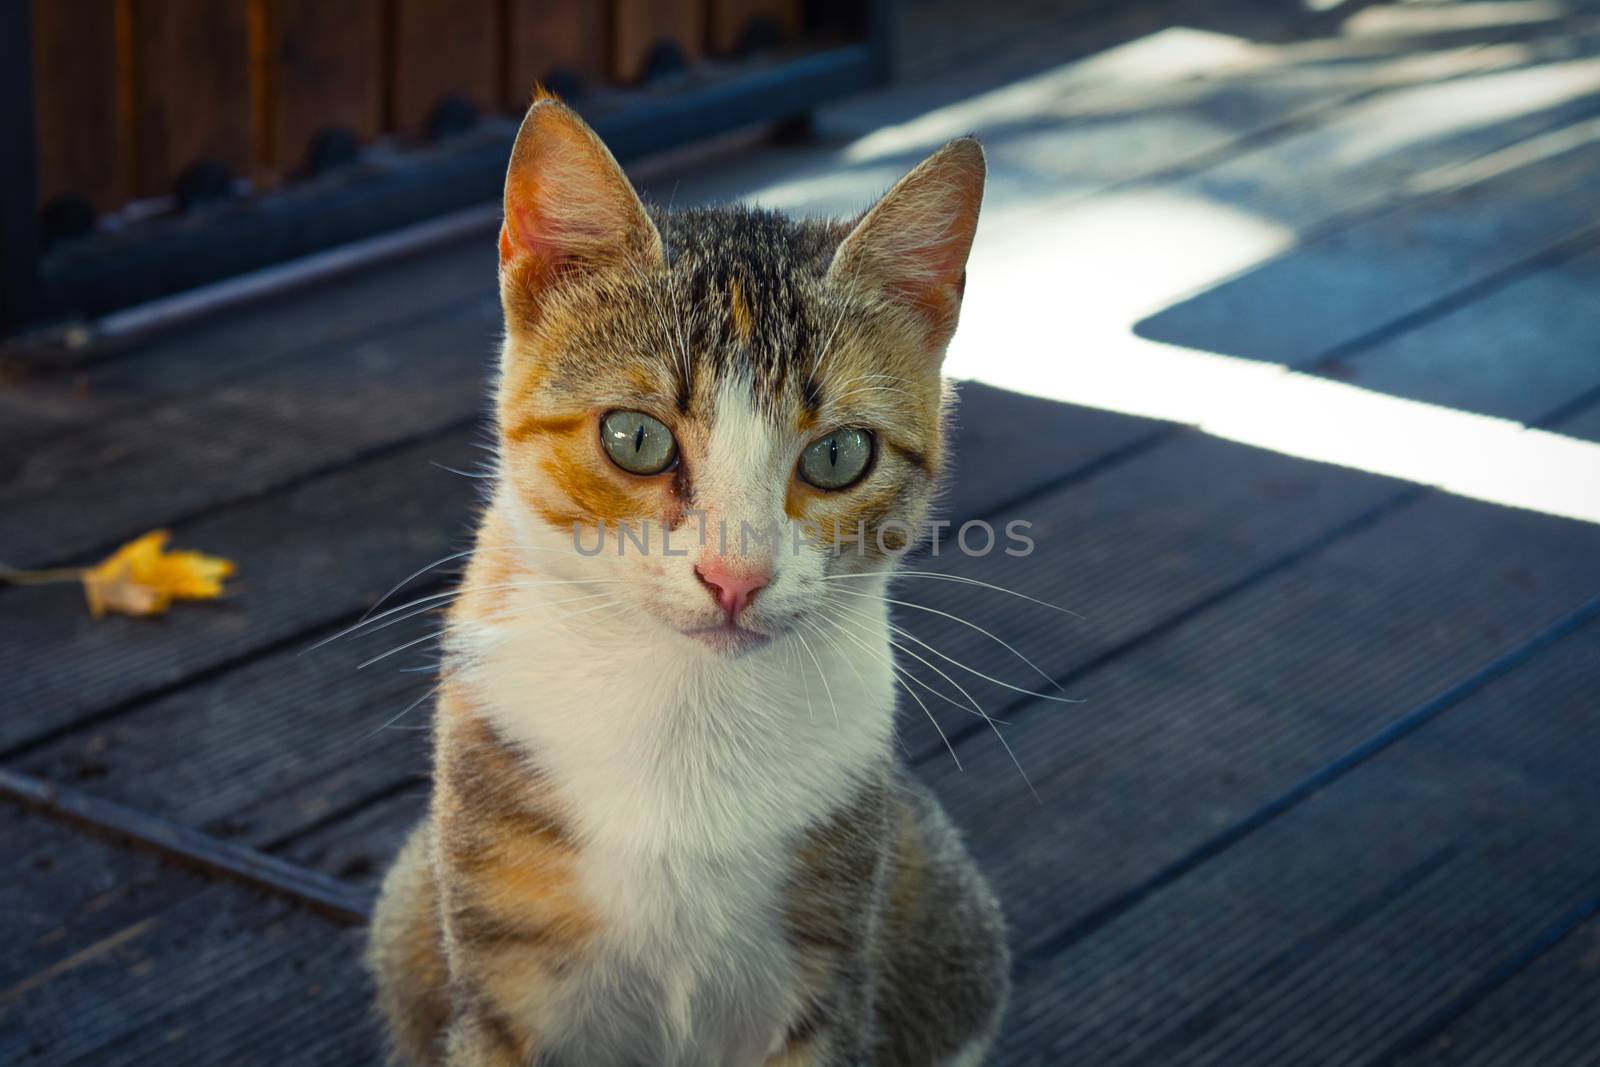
{"x": 668, "y": 825}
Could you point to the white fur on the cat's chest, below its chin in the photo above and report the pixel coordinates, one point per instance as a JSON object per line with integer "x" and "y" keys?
{"x": 689, "y": 778}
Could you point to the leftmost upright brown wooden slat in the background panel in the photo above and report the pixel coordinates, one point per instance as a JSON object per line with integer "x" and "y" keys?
{"x": 79, "y": 103}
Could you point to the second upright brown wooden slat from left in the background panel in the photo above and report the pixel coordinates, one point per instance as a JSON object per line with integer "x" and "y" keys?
{"x": 193, "y": 90}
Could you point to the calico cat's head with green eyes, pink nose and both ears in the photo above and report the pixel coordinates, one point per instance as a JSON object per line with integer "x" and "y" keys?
{"x": 762, "y": 390}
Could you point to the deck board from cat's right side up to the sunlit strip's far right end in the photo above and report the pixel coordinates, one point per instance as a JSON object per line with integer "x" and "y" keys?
{"x": 1196, "y": 730}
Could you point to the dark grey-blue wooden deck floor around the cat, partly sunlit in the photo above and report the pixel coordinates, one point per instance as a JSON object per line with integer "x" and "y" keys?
{"x": 1332, "y": 793}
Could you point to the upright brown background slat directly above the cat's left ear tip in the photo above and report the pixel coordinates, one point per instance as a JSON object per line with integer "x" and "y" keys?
{"x": 561, "y": 44}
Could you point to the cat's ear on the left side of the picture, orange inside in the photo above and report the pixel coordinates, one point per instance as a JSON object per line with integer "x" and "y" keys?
{"x": 569, "y": 207}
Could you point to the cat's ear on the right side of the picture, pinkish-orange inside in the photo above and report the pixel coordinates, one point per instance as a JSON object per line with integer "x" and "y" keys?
{"x": 913, "y": 246}
